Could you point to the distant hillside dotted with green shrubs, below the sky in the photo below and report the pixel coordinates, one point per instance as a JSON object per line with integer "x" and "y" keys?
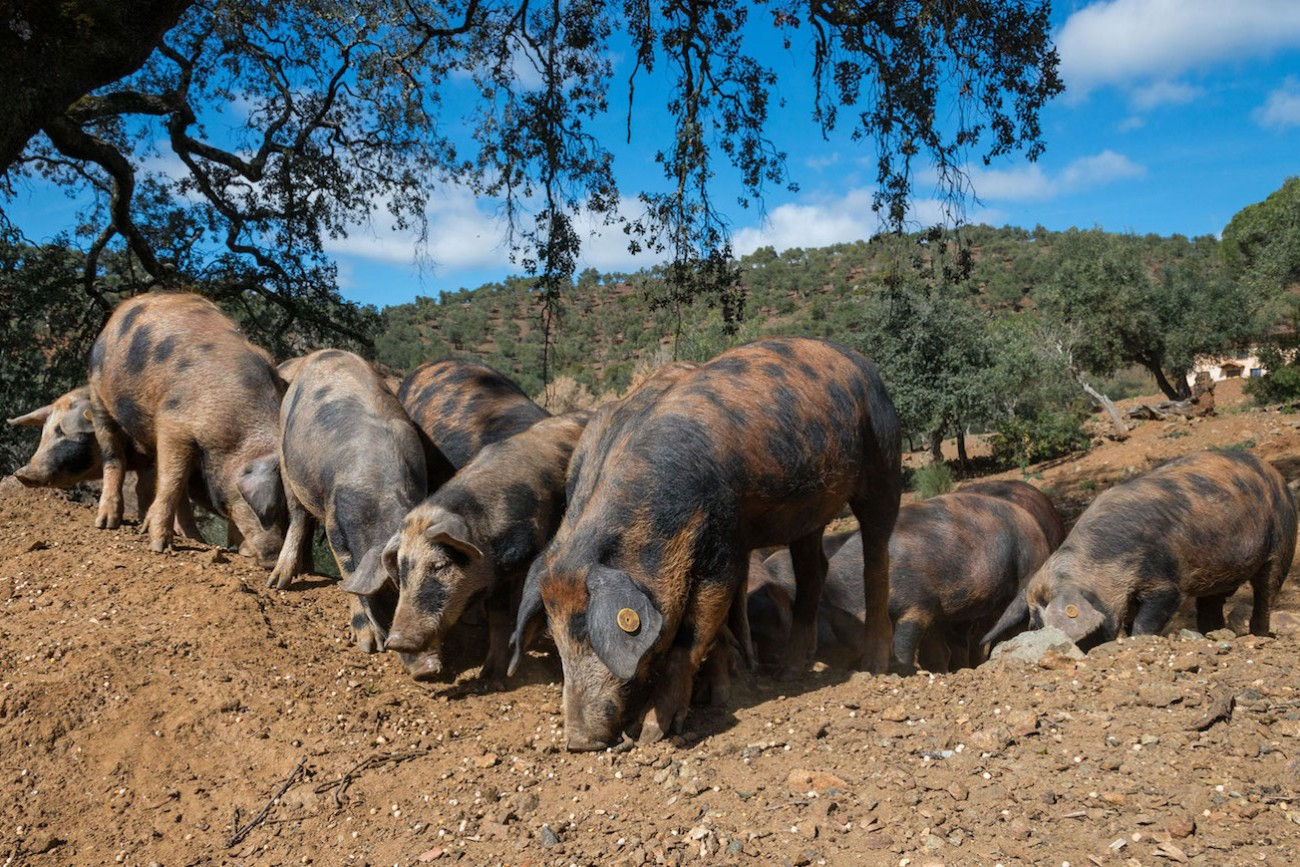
{"x": 610, "y": 323}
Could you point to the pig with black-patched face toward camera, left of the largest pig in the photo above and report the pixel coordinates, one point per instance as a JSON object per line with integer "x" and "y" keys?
{"x": 478, "y": 534}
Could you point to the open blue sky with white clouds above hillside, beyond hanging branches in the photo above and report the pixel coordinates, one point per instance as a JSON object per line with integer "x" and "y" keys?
{"x": 1177, "y": 115}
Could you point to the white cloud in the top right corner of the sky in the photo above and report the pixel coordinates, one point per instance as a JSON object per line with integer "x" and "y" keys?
{"x": 1130, "y": 42}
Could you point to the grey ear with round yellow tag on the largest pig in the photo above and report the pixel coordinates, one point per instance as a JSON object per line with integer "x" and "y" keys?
{"x": 622, "y": 621}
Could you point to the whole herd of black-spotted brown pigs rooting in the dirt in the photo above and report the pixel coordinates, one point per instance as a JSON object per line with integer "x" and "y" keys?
{"x": 664, "y": 540}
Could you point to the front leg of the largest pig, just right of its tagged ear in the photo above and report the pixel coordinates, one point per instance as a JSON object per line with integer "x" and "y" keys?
{"x": 671, "y": 699}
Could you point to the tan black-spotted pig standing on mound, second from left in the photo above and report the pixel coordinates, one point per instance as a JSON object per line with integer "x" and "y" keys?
{"x": 175, "y": 376}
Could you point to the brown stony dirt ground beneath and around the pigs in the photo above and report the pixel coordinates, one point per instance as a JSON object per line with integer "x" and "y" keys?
{"x": 153, "y": 705}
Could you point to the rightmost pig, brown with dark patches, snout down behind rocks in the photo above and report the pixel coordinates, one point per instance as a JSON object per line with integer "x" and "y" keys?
{"x": 1199, "y": 526}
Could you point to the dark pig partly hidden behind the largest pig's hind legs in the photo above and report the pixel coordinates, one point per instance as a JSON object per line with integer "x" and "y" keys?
{"x": 955, "y": 563}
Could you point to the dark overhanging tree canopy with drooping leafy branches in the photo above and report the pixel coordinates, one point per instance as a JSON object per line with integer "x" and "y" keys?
{"x": 284, "y": 125}
